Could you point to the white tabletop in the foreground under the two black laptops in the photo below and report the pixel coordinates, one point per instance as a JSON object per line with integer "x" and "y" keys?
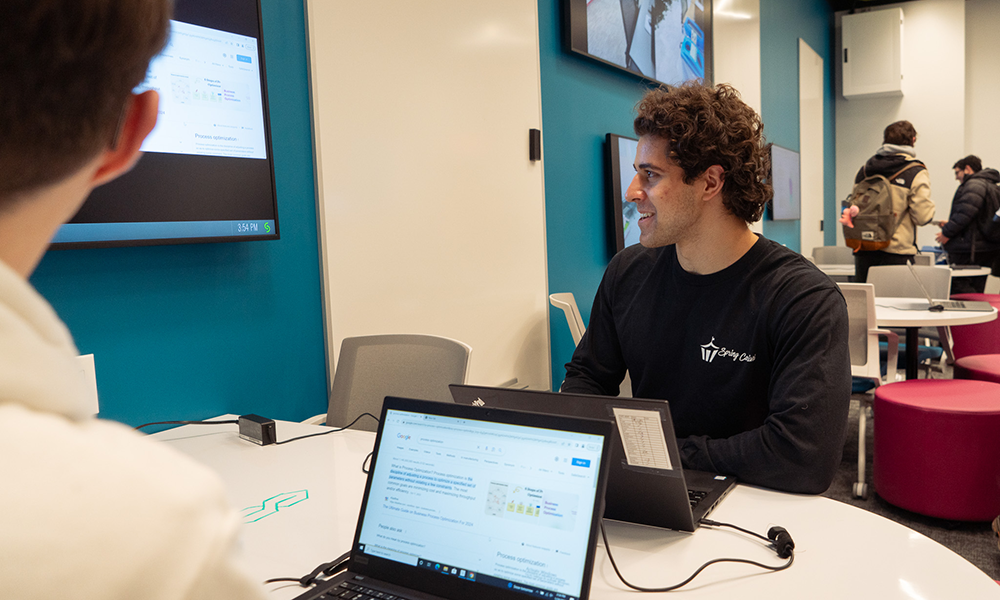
{"x": 841, "y": 551}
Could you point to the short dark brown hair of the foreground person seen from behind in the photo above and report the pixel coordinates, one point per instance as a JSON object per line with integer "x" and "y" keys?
{"x": 67, "y": 68}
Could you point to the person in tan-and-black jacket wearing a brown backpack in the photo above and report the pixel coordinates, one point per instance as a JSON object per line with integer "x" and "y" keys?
{"x": 895, "y": 186}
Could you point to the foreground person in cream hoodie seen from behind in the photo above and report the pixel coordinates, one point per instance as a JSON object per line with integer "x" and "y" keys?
{"x": 90, "y": 509}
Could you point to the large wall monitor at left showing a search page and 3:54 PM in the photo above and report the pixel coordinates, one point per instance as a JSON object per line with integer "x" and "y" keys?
{"x": 207, "y": 172}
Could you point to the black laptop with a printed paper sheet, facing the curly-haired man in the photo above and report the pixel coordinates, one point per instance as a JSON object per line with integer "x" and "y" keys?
{"x": 646, "y": 484}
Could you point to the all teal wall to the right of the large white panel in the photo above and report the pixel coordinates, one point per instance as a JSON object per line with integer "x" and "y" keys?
{"x": 583, "y": 100}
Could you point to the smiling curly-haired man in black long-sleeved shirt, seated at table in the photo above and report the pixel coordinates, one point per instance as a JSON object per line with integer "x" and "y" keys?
{"x": 746, "y": 339}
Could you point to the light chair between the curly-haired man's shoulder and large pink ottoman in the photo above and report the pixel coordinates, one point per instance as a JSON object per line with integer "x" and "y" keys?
{"x": 866, "y": 374}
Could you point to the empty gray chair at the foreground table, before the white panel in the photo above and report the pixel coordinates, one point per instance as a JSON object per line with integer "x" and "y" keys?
{"x": 375, "y": 366}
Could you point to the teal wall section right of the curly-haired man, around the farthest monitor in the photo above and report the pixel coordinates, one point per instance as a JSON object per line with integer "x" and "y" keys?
{"x": 782, "y": 23}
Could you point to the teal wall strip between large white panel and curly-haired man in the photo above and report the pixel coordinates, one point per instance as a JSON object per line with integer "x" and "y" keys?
{"x": 582, "y": 101}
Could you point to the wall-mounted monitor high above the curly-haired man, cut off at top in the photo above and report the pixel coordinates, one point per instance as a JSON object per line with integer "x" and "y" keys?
{"x": 666, "y": 41}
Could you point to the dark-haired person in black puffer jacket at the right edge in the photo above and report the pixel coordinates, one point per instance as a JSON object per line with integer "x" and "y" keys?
{"x": 967, "y": 236}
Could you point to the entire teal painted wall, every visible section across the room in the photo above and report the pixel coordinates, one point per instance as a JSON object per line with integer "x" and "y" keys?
{"x": 186, "y": 332}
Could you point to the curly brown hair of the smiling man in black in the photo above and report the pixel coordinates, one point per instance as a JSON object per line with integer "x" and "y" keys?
{"x": 710, "y": 125}
